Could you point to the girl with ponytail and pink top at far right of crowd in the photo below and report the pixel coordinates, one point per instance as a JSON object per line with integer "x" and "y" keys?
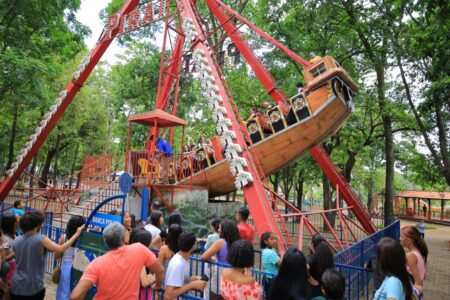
{"x": 416, "y": 257}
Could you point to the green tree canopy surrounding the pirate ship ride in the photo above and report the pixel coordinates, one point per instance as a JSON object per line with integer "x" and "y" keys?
{"x": 397, "y": 52}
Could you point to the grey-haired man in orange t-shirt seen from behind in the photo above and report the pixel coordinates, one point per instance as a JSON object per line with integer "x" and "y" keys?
{"x": 117, "y": 273}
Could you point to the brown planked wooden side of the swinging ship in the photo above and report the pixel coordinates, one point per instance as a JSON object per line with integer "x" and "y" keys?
{"x": 285, "y": 146}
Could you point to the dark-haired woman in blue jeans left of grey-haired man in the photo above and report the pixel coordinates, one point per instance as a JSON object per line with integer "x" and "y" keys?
{"x": 63, "y": 290}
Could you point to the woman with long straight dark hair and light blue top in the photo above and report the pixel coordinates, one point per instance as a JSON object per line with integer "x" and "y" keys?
{"x": 391, "y": 262}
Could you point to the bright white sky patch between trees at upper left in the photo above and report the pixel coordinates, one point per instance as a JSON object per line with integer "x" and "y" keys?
{"x": 88, "y": 14}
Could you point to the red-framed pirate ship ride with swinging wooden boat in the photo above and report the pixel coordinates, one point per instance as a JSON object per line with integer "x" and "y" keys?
{"x": 243, "y": 154}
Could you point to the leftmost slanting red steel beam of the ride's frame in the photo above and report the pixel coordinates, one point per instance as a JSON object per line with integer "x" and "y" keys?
{"x": 71, "y": 90}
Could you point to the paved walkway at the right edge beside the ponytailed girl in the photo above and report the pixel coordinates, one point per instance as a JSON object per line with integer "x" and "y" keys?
{"x": 437, "y": 281}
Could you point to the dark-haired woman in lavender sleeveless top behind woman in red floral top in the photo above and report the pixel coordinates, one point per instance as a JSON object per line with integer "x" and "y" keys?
{"x": 229, "y": 233}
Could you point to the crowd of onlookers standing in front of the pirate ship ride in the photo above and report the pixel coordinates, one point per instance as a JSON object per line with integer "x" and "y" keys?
{"x": 129, "y": 270}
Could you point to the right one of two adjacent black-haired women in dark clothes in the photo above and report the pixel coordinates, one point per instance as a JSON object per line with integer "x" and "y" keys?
{"x": 320, "y": 260}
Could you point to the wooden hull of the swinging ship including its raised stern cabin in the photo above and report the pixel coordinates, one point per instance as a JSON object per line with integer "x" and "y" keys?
{"x": 329, "y": 103}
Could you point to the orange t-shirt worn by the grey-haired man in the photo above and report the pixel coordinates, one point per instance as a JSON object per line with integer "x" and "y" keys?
{"x": 116, "y": 273}
